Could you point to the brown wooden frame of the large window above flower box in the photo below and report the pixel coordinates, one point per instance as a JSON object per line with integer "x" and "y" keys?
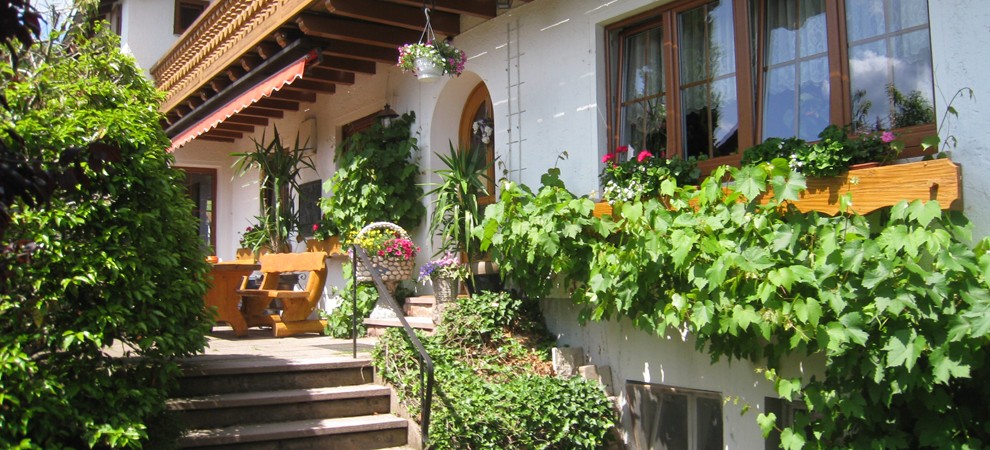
{"x": 747, "y": 35}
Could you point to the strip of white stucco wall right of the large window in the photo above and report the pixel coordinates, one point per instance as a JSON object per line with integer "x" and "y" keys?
{"x": 960, "y": 30}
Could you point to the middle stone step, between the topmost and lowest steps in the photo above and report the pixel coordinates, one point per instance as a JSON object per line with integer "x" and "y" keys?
{"x": 223, "y": 410}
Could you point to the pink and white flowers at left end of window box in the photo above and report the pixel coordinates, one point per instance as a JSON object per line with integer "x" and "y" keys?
{"x": 643, "y": 175}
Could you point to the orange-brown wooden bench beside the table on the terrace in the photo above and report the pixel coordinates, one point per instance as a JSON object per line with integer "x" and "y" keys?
{"x": 296, "y": 305}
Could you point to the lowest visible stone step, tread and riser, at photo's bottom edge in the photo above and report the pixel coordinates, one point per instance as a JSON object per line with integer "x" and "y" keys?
{"x": 347, "y": 433}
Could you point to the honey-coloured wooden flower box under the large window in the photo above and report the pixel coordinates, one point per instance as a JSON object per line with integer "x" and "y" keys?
{"x": 876, "y": 187}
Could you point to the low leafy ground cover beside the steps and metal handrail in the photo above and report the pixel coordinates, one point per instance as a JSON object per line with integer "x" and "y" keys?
{"x": 487, "y": 393}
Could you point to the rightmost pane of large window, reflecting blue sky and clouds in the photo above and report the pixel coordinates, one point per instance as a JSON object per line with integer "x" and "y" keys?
{"x": 891, "y": 71}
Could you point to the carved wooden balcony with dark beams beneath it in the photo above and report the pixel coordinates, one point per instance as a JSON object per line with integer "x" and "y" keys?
{"x": 236, "y": 44}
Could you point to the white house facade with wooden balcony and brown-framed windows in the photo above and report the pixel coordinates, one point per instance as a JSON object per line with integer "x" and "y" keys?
{"x": 564, "y": 82}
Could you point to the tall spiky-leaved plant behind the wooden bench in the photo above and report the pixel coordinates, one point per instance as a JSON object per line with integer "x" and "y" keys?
{"x": 280, "y": 167}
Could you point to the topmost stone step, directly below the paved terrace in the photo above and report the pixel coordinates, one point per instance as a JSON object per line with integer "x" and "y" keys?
{"x": 237, "y": 375}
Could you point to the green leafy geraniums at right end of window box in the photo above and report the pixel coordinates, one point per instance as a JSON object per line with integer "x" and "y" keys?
{"x": 836, "y": 152}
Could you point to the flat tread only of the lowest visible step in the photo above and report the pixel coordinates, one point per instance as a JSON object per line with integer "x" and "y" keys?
{"x": 290, "y": 430}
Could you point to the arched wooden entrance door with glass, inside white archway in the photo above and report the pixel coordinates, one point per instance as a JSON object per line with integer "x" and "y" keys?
{"x": 477, "y": 133}
